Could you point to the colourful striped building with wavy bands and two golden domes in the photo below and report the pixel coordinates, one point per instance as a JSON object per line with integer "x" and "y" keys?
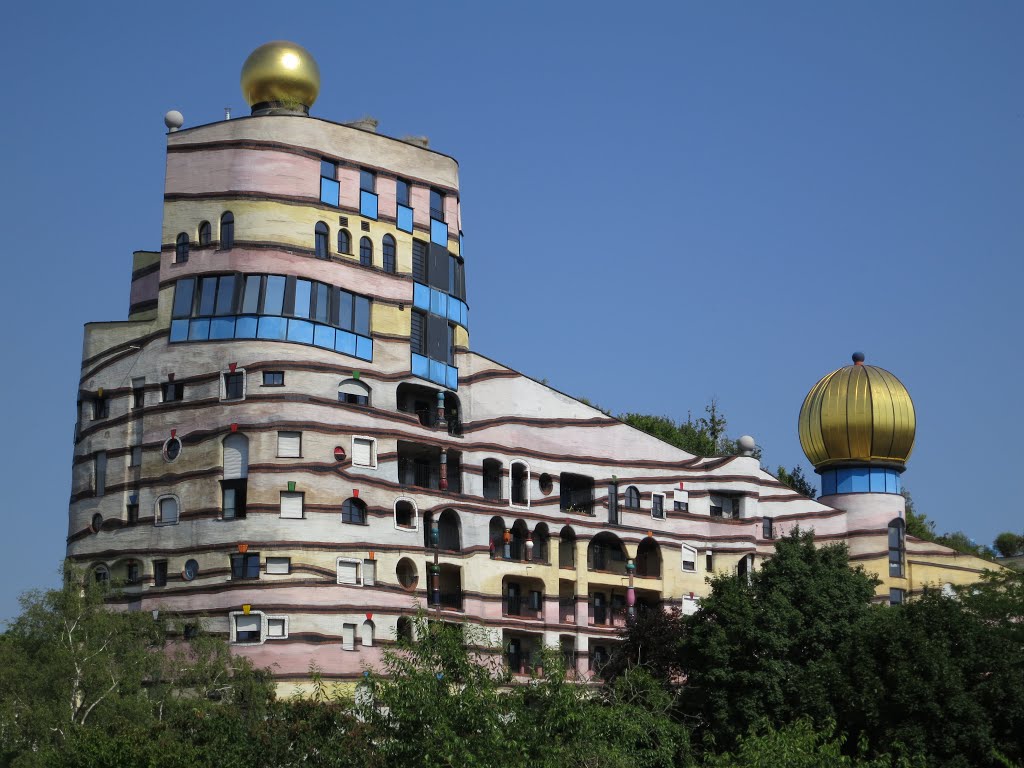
{"x": 290, "y": 442}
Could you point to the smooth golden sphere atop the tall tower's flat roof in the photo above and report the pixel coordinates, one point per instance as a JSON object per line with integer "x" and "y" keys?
{"x": 281, "y": 74}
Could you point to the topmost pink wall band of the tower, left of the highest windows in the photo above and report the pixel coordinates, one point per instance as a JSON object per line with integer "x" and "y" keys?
{"x": 243, "y": 170}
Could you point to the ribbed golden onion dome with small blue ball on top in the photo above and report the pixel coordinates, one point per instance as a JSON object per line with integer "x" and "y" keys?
{"x": 858, "y": 415}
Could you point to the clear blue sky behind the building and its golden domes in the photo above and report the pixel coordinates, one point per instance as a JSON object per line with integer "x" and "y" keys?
{"x": 663, "y": 203}
